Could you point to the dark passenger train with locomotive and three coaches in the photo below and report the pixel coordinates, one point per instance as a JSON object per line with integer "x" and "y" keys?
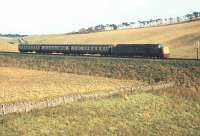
{"x": 119, "y": 50}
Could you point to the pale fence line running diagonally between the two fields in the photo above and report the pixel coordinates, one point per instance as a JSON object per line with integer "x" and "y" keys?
{"x": 52, "y": 102}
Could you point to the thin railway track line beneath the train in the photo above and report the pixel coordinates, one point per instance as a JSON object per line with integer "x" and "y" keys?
{"x": 105, "y": 57}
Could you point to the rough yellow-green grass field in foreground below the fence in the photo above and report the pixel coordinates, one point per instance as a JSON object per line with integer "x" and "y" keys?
{"x": 138, "y": 114}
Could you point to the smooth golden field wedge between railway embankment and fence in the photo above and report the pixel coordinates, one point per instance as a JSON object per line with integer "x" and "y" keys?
{"x": 29, "y": 85}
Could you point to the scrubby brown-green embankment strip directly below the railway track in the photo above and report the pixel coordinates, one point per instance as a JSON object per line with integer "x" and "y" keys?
{"x": 183, "y": 72}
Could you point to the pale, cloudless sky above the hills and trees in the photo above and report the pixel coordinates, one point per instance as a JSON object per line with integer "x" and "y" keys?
{"x": 62, "y": 16}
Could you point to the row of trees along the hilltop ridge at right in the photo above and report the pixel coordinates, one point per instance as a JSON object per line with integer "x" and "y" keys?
{"x": 152, "y": 22}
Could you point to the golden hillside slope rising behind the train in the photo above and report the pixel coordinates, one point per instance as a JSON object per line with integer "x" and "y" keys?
{"x": 180, "y": 37}
